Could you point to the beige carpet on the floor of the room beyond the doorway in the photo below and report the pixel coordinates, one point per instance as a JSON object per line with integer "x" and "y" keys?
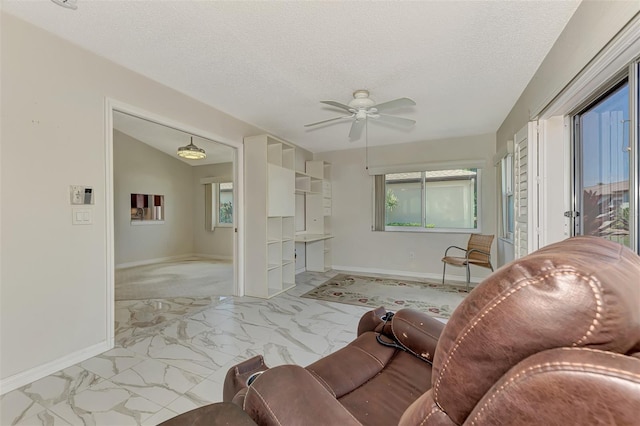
{"x": 184, "y": 278}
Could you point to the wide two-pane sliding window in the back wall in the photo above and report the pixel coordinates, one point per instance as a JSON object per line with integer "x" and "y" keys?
{"x": 439, "y": 200}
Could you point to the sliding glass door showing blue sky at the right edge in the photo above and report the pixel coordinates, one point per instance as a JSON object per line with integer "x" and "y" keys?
{"x": 604, "y": 175}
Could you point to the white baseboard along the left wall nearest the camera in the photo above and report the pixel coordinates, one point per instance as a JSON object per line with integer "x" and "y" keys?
{"x": 24, "y": 378}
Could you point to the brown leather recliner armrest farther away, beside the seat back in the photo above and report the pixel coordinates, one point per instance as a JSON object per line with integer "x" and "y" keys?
{"x": 417, "y": 332}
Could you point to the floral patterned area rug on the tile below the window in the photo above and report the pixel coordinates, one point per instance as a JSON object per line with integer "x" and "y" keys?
{"x": 437, "y": 300}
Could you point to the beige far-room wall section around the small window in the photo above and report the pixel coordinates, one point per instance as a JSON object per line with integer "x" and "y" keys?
{"x": 219, "y": 242}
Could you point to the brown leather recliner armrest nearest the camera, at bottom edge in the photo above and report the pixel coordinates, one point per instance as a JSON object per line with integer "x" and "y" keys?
{"x": 288, "y": 395}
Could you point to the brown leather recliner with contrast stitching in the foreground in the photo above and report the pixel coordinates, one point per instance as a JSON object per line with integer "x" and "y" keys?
{"x": 552, "y": 338}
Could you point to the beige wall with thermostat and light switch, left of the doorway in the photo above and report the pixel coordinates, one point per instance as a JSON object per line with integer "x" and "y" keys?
{"x": 53, "y": 276}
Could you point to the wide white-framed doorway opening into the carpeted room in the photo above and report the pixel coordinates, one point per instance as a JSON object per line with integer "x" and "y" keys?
{"x": 158, "y": 216}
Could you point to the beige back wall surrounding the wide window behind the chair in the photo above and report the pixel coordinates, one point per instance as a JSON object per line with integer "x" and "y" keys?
{"x": 356, "y": 247}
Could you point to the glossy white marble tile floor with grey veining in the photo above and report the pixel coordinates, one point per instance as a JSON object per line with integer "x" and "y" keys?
{"x": 171, "y": 355}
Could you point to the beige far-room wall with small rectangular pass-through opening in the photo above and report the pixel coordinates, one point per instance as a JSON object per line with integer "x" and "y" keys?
{"x": 141, "y": 169}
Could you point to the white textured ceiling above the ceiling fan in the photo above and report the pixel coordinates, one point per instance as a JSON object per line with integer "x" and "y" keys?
{"x": 269, "y": 63}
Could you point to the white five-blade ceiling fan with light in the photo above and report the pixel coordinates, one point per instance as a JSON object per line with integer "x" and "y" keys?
{"x": 362, "y": 107}
